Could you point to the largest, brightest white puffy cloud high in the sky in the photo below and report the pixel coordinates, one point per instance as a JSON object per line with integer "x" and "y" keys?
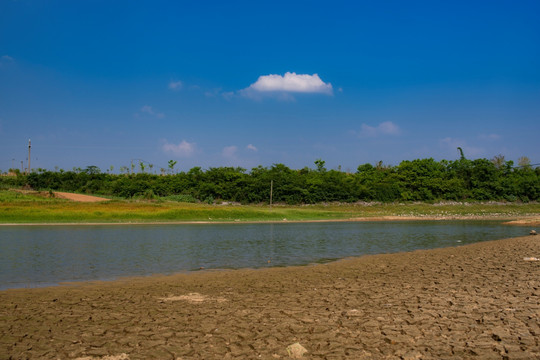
{"x": 290, "y": 82}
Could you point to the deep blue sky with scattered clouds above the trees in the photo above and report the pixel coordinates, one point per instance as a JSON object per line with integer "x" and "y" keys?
{"x": 246, "y": 83}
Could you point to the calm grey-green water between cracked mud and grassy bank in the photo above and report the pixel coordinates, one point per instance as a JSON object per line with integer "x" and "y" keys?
{"x": 33, "y": 256}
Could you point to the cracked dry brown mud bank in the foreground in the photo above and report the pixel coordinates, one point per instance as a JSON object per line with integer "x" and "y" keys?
{"x": 477, "y": 301}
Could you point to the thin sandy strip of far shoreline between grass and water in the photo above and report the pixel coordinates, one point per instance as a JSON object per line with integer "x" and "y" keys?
{"x": 521, "y": 220}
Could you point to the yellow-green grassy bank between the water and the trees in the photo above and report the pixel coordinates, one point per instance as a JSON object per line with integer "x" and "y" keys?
{"x": 25, "y": 208}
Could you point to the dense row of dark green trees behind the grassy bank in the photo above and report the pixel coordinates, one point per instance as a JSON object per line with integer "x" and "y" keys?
{"x": 415, "y": 180}
